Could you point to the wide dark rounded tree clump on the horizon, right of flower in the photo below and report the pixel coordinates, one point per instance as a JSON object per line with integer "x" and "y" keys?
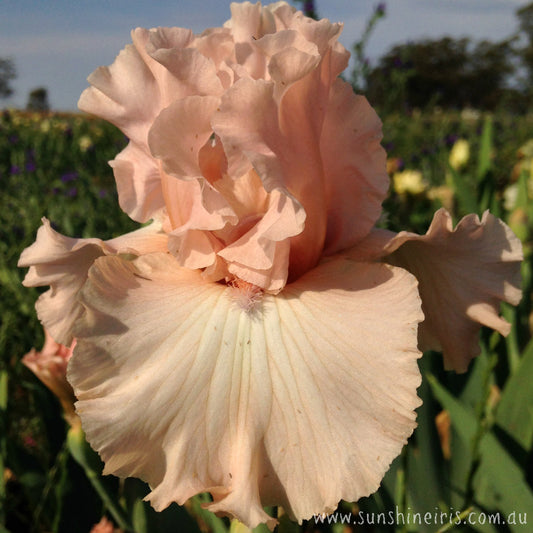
{"x": 451, "y": 73}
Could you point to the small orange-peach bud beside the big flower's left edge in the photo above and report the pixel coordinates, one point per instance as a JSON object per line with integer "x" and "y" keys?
{"x": 50, "y": 366}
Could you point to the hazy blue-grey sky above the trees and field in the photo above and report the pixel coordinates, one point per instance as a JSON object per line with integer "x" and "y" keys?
{"x": 57, "y": 44}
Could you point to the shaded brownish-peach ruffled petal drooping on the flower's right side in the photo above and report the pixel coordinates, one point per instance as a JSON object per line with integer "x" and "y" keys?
{"x": 464, "y": 275}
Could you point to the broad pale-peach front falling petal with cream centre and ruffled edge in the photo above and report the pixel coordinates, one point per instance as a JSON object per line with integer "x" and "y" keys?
{"x": 299, "y": 399}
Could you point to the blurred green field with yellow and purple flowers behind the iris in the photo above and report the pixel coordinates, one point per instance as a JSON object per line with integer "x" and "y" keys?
{"x": 473, "y": 449}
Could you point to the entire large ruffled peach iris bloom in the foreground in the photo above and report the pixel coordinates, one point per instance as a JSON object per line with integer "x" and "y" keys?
{"x": 258, "y": 340}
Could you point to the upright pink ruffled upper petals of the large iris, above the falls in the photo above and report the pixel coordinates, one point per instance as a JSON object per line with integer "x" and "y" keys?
{"x": 251, "y": 182}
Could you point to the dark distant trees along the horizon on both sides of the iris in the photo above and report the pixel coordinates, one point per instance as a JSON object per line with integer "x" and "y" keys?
{"x": 448, "y": 72}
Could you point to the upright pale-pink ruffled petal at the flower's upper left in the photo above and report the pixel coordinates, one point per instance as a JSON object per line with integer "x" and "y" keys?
{"x": 146, "y": 77}
